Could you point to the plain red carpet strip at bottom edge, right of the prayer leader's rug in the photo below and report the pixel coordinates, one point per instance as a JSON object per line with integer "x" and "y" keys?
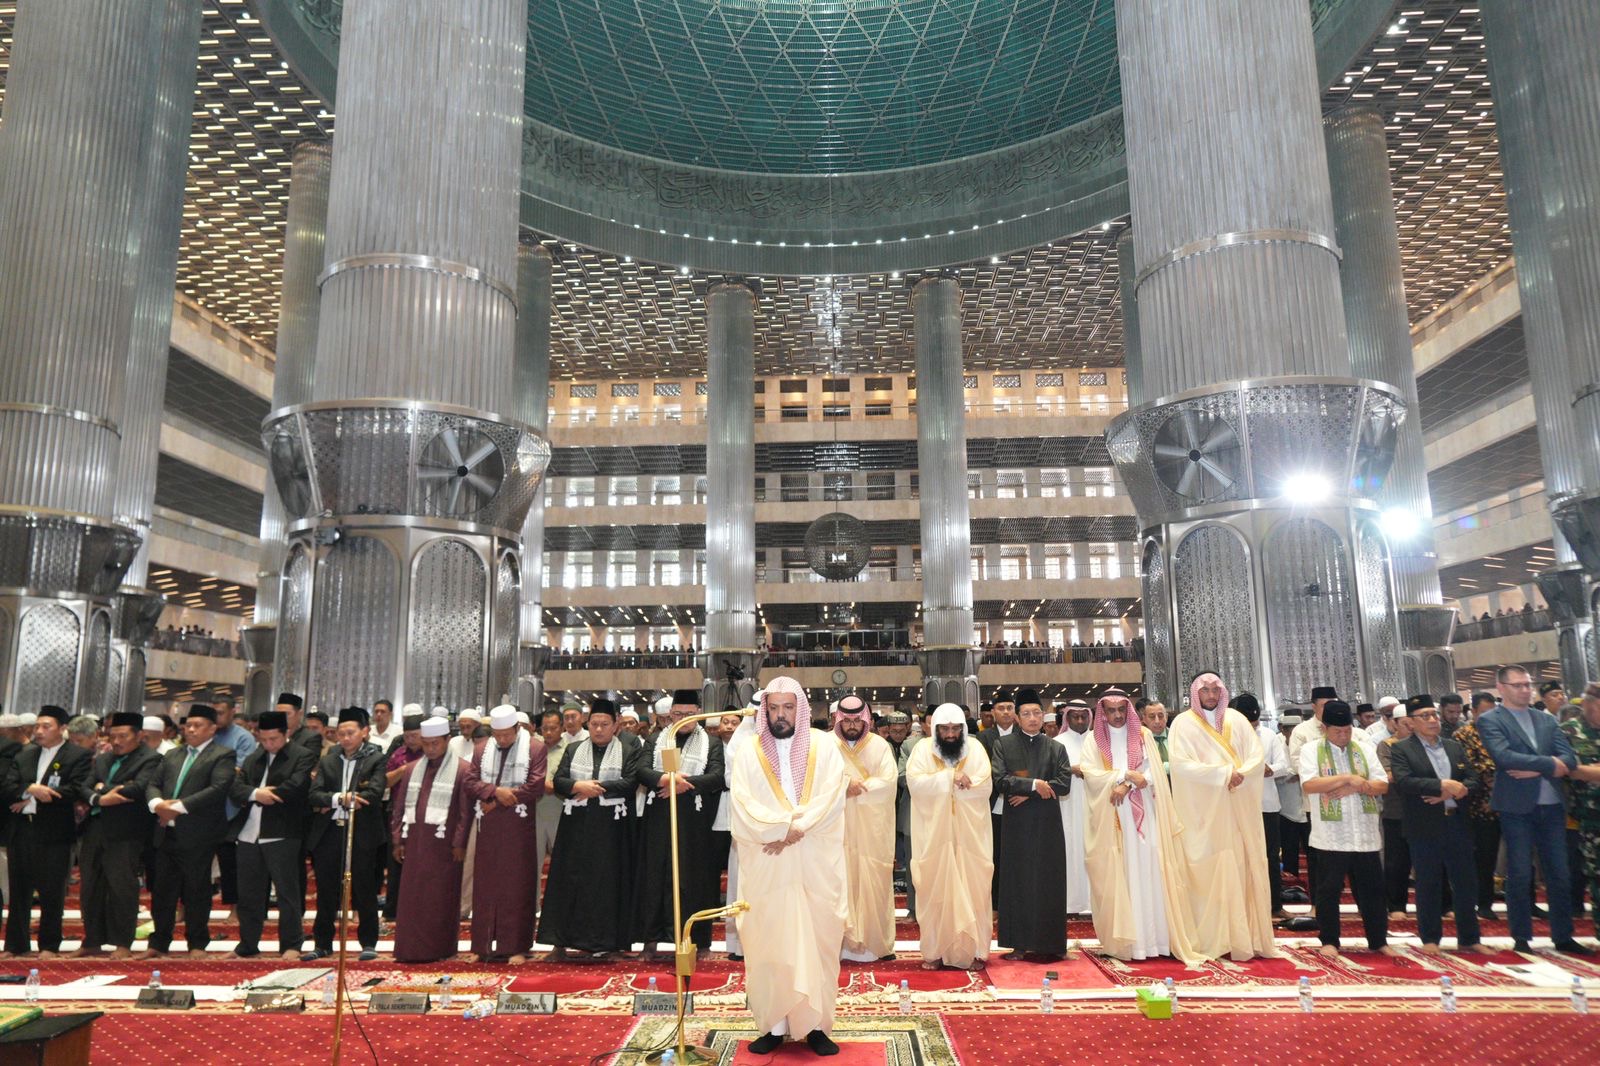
{"x": 1327, "y": 1038}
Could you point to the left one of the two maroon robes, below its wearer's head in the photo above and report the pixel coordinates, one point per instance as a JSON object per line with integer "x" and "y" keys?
{"x": 428, "y": 926}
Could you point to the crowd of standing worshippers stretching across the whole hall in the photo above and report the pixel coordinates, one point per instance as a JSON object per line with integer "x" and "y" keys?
{"x": 1177, "y": 835}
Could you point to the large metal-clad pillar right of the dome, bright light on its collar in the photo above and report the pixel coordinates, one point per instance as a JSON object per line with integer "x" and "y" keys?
{"x": 1254, "y": 460}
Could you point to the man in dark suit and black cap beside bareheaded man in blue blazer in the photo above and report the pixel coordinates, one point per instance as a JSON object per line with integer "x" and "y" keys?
{"x": 1433, "y": 779}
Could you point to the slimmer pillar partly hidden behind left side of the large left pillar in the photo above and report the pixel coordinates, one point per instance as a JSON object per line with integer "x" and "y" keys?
{"x": 305, "y": 241}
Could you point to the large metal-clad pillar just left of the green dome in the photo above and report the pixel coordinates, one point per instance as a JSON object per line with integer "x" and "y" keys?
{"x": 404, "y": 489}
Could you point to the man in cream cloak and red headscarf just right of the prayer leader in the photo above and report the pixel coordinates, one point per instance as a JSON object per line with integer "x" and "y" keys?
{"x": 870, "y": 832}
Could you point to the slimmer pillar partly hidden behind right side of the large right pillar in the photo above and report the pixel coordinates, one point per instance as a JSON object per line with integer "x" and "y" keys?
{"x": 1380, "y": 334}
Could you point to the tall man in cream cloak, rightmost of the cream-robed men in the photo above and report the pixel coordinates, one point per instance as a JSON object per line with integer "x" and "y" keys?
{"x": 1217, "y": 785}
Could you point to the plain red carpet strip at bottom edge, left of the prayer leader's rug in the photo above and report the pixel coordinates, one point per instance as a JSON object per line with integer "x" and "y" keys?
{"x": 298, "y": 1040}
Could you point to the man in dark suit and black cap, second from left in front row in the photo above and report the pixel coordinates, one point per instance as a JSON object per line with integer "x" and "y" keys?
{"x": 116, "y": 833}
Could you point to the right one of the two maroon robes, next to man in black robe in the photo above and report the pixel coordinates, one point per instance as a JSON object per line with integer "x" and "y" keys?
{"x": 506, "y": 889}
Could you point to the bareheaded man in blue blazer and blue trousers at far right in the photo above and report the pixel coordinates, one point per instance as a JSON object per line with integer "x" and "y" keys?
{"x": 1532, "y": 756}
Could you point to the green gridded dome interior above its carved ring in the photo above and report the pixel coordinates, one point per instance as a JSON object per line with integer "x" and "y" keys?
{"x": 809, "y": 87}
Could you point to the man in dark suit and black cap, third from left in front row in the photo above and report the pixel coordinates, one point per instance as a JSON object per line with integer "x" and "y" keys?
{"x": 190, "y": 801}
